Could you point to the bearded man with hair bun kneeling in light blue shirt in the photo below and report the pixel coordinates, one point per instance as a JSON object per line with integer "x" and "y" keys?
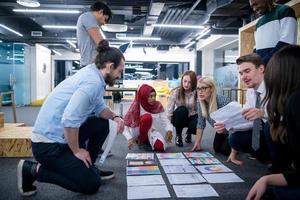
{"x": 71, "y": 127}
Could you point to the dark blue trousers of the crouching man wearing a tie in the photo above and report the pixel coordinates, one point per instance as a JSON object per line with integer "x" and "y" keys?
{"x": 242, "y": 140}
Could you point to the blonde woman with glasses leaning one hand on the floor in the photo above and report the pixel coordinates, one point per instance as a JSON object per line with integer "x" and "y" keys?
{"x": 209, "y": 102}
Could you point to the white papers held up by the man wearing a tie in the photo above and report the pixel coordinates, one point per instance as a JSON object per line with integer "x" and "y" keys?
{"x": 231, "y": 116}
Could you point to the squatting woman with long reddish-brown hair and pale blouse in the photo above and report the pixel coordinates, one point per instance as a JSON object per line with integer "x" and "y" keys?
{"x": 181, "y": 109}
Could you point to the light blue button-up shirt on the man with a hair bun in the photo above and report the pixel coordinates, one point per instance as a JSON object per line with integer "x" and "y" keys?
{"x": 70, "y": 104}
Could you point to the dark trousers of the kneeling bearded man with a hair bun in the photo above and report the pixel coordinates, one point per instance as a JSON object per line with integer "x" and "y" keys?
{"x": 59, "y": 165}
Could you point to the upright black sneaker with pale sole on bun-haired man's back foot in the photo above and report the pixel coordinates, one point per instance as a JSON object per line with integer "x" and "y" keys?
{"x": 26, "y": 176}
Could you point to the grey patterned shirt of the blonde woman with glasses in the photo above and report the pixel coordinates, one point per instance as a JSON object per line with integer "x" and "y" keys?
{"x": 221, "y": 102}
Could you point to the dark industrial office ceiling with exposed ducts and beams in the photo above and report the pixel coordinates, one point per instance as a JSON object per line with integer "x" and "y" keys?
{"x": 221, "y": 16}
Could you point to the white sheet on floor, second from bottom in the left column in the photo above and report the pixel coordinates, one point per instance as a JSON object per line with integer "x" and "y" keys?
{"x": 145, "y": 180}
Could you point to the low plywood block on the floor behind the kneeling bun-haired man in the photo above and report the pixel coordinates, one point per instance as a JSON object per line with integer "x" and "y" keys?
{"x": 15, "y": 140}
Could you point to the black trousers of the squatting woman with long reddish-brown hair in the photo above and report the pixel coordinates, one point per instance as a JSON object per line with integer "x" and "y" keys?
{"x": 181, "y": 119}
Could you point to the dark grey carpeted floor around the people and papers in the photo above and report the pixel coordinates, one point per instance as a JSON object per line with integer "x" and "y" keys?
{"x": 116, "y": 188}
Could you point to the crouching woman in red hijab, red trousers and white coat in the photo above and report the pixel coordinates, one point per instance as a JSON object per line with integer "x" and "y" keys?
{"x": 146, "y": 121}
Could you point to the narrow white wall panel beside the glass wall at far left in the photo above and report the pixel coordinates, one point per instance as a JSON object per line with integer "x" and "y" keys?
{"x": 41, "y": 72}
